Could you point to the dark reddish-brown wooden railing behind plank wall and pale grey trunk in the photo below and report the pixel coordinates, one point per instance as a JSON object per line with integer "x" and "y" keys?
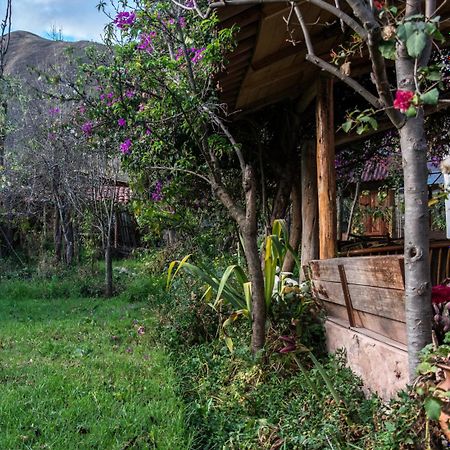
{"x": 439, "y": 257}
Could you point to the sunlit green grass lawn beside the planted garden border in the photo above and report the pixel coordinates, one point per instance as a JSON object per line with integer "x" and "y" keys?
{"x": 83, "y": 373}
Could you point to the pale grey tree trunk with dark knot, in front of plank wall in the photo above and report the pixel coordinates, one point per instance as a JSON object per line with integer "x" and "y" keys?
{"x": 417, "y": 267}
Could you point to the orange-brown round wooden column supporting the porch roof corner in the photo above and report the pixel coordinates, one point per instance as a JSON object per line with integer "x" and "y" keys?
{"x": 326, "y": 173}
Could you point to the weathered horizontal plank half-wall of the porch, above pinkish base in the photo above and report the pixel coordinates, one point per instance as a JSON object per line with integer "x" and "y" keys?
{"x": 366, "y": 291}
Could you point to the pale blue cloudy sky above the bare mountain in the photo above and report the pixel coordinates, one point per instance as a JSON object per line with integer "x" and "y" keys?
{"x": 77, "y": 19}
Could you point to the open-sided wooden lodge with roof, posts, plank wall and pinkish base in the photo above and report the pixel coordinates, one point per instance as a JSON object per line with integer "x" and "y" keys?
{"x": 363, "y": 290}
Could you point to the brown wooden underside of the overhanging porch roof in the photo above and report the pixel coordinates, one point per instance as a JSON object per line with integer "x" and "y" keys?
{"x": 268, "y": 65}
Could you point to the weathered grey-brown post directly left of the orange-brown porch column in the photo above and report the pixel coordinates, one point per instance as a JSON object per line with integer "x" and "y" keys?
{"x": 310, "y": 216}
